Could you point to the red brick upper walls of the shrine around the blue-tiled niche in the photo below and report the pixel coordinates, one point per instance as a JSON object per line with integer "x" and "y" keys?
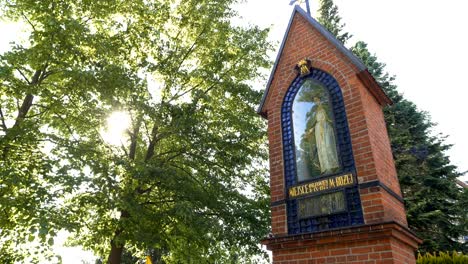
{"x": 371, "y": 147}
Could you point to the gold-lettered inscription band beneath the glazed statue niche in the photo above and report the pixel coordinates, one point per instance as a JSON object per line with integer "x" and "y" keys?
{"x": 321, "y": 185}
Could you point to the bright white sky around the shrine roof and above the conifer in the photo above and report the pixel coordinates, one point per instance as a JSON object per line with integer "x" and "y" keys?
{"x": 423, "y": 43}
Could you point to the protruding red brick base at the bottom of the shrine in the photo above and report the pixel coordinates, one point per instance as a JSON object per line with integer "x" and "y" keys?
{"x": 382, "y": 243}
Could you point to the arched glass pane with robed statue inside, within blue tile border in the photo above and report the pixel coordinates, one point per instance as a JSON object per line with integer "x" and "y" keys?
{"x": 314, "y": 132}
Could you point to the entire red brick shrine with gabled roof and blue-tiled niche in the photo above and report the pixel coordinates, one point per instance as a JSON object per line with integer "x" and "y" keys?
{"x": 335, "y": 196}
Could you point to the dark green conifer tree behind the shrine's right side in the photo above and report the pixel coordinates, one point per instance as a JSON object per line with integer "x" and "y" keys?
{"x": 436, "y": 206}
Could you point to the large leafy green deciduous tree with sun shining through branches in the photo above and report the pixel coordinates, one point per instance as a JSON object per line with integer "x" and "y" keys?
{"x": 187, "y": 179}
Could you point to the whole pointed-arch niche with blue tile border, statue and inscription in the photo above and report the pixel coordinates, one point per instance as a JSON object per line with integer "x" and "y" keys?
{"x": 317, "y": 149}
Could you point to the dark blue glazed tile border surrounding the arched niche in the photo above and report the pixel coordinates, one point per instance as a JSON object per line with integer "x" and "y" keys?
{"x": 353, "y": 215}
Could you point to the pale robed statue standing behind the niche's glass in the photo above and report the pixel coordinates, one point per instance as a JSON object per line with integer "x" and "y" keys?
{"x": 321, "y": 133}
